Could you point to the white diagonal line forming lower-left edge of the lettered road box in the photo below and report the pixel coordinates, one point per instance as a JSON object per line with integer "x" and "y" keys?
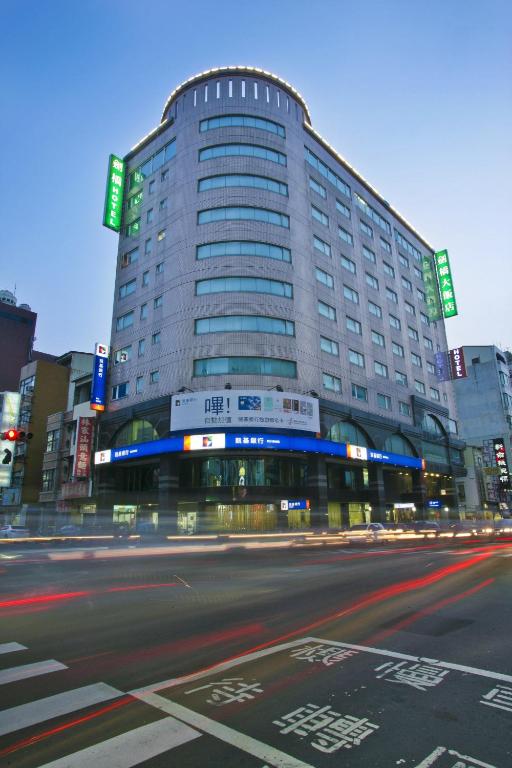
{"x": 228, "y": 735}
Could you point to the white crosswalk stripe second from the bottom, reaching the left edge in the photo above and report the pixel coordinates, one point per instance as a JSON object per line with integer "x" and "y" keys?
{"x": 16, "y": 718}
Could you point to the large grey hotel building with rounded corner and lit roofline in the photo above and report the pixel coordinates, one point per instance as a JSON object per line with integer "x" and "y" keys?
{"x": 253, "y": 258}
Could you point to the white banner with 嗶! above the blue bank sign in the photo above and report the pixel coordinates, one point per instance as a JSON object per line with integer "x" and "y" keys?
{"x": 244, "y": 409}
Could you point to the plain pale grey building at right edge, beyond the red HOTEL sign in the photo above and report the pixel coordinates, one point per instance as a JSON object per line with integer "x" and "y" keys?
{"x": 484, "y": 405}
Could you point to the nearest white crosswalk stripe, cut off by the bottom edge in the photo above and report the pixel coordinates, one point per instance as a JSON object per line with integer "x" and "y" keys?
{"x": 130, "y": 748}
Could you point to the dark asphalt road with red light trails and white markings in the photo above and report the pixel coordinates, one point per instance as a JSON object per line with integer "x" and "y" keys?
{"x": 366, "y": 659}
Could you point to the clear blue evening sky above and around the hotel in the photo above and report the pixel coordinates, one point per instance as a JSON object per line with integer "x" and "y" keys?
{"x": 415, "y": 95}
